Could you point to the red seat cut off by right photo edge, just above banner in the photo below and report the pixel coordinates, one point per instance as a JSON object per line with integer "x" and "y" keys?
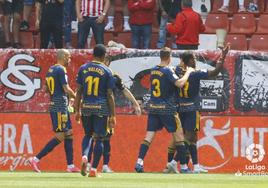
{"x": 259, "y": 43}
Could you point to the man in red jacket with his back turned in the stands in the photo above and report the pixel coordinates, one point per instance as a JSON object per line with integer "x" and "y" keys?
{"x": 187, "y": 27}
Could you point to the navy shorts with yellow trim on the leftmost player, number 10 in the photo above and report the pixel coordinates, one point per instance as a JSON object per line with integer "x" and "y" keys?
{"x": 61, "y": 121}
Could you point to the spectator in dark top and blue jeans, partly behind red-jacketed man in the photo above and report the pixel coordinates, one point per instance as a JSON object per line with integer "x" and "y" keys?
{"x": 168, "y": 10}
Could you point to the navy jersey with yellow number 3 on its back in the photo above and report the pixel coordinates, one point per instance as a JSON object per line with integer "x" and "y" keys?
{"x": 162, "y": 90}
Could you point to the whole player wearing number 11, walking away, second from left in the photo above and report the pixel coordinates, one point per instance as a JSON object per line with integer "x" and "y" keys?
{"x": 95, "y": 88}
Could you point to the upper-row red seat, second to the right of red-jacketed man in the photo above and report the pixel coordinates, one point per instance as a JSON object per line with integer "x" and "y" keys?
{"x": 243, "y": 24}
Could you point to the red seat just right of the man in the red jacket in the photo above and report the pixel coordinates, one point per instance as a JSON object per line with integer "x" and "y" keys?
{"x": 216, "y": 21}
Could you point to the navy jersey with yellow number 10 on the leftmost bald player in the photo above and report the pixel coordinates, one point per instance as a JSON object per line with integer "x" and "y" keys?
{"x": 56, "y": 78}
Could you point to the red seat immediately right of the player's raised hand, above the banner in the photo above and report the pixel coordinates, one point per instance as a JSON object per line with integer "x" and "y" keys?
{"x": 237, "y": 42}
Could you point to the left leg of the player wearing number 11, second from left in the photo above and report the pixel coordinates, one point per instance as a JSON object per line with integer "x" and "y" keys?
{"x": 86, "y": 142}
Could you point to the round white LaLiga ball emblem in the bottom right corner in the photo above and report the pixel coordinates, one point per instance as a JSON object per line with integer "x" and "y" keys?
{"x": 255, "y": 153}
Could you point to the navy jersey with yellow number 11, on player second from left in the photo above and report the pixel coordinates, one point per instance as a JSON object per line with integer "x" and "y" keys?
{"x": 95, "y": 79}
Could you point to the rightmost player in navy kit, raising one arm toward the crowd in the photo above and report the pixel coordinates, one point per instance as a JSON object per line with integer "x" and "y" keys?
{"x": 188, "y": 106}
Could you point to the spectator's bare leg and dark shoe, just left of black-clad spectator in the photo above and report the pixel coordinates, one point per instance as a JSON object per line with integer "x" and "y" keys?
{"x": 27, "y": 10}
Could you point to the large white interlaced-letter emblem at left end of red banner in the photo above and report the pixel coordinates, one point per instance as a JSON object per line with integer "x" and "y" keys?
{"x": 27, "y": 85}
